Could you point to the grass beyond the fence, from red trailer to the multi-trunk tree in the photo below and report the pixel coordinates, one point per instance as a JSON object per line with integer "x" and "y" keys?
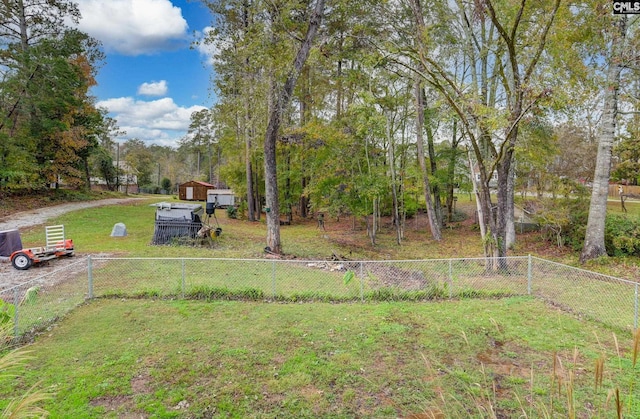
{"x": 91, "y": 228}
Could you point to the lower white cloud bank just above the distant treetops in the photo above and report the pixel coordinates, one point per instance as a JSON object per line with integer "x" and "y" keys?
{"x": 159, "y": 121}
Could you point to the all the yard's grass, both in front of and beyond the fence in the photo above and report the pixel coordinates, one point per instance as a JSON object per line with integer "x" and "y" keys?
{"x": 510, "y": 357}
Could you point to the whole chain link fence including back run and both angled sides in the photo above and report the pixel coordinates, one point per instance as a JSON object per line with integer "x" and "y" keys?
{"x": 35, "y": 304}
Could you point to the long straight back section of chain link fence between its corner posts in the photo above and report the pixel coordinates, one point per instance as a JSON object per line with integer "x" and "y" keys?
{"x": 292, "y": 280}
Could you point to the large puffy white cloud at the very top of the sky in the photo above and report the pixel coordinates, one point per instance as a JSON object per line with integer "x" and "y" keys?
{"x": 133, "y": 27}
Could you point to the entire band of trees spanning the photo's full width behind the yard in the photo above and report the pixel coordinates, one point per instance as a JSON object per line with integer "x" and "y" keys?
{"x": 365, "y": 108}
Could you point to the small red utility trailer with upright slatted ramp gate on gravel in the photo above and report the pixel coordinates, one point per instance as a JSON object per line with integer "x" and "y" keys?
{"x": 56, "y": 246}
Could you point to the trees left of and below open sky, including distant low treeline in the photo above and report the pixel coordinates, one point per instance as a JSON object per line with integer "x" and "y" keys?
{"x": 51, "y": 130}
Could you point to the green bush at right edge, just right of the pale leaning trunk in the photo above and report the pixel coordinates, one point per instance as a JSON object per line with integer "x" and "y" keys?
{"x": 622, "y": 235}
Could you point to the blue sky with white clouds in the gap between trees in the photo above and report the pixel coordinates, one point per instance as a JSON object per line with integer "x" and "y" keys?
{"x": 152, "y": 80}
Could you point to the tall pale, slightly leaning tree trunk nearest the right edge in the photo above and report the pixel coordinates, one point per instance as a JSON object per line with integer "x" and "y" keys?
{"x": 594, "y": 237}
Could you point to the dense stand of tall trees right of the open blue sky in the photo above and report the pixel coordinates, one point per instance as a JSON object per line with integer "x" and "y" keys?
{"x": 403, "y": 99}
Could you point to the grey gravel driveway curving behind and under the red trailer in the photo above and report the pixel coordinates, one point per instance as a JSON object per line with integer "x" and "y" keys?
{"x": 10, "y": 276}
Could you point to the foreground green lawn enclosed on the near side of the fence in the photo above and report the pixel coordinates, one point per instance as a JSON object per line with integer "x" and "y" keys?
{"x": 472, "y": 358}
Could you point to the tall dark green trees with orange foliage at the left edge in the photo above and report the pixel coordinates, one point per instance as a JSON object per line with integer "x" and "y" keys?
{"x": 49, "y": 125}
